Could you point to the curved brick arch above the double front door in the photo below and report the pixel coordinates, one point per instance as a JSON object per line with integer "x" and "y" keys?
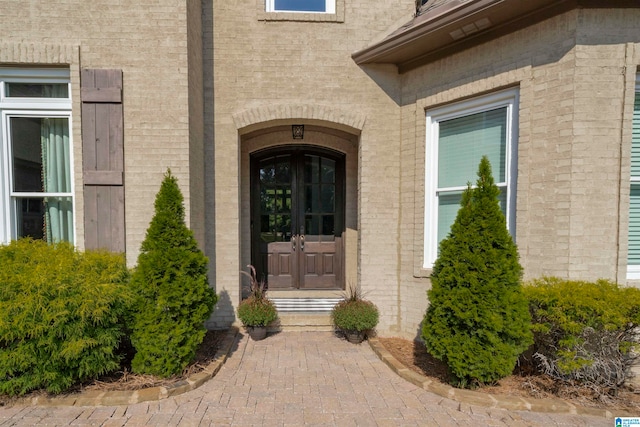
{"x": 278, "y": 114}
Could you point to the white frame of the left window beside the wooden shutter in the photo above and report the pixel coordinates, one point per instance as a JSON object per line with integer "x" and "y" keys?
{"x": 28, "y": 107}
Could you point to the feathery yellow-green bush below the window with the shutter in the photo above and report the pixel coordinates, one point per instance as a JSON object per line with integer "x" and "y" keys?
{"x": 61, "y": 315}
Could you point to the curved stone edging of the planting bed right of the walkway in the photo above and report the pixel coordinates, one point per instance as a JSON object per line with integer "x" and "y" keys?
{"x": 471, "y": 397}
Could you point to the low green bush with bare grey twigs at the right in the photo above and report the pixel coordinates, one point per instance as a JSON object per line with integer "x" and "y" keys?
{"x": 584, "y": 331}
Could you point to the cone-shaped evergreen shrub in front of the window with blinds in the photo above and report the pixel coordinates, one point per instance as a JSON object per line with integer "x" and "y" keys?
{"x": 478, "y": 321}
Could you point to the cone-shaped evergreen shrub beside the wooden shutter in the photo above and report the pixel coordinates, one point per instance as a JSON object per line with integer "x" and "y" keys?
{"x": 173, "y": 294}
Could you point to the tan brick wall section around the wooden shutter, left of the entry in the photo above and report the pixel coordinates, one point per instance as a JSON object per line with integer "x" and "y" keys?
{"x": 150, "y": 43}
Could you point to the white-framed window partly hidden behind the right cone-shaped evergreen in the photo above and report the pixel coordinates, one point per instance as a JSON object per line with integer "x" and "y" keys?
{"x": 458, "y": 135}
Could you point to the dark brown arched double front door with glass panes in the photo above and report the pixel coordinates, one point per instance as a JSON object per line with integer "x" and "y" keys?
{"x": 297, "y": 218}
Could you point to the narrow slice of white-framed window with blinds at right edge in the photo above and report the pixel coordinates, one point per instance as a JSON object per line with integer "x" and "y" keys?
{"x": 633, "y": 258}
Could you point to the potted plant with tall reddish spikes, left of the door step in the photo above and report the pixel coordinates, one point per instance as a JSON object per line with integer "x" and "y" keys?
{"x": 256, "y": 311}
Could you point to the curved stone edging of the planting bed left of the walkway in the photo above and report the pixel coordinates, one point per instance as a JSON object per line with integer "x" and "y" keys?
{"x": 129, "y": 397}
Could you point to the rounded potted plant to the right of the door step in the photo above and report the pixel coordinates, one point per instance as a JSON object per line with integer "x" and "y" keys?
{"x": 354, "y": 316}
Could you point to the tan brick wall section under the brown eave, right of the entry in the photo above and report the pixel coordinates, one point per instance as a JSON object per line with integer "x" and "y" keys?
{"x": 575, "y": 75}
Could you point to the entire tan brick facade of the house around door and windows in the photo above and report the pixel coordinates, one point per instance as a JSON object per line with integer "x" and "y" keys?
{"x": 208, "y": 82}
